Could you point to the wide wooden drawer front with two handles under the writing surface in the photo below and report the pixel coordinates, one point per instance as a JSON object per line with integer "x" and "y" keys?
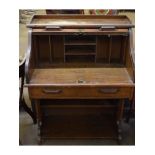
{"x": 80, "y": 92}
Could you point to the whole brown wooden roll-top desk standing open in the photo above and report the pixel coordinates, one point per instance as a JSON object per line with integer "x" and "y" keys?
{"x": 79, "y": 72}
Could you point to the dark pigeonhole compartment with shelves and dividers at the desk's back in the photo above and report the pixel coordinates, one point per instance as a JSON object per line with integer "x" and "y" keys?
{"x": 74, "y": 49}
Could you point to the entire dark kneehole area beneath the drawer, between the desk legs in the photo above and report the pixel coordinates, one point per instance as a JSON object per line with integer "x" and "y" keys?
{"x": 79, "y": 119}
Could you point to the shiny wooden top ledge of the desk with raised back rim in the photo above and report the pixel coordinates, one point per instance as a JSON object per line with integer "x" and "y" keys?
{"x": 78, "y": 20}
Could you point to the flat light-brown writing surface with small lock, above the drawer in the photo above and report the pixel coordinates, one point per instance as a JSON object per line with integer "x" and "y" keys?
{"x": 88, "y": 76}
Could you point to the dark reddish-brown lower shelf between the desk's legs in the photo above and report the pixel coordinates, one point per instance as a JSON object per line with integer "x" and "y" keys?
{"x": 83, "y": 126}
